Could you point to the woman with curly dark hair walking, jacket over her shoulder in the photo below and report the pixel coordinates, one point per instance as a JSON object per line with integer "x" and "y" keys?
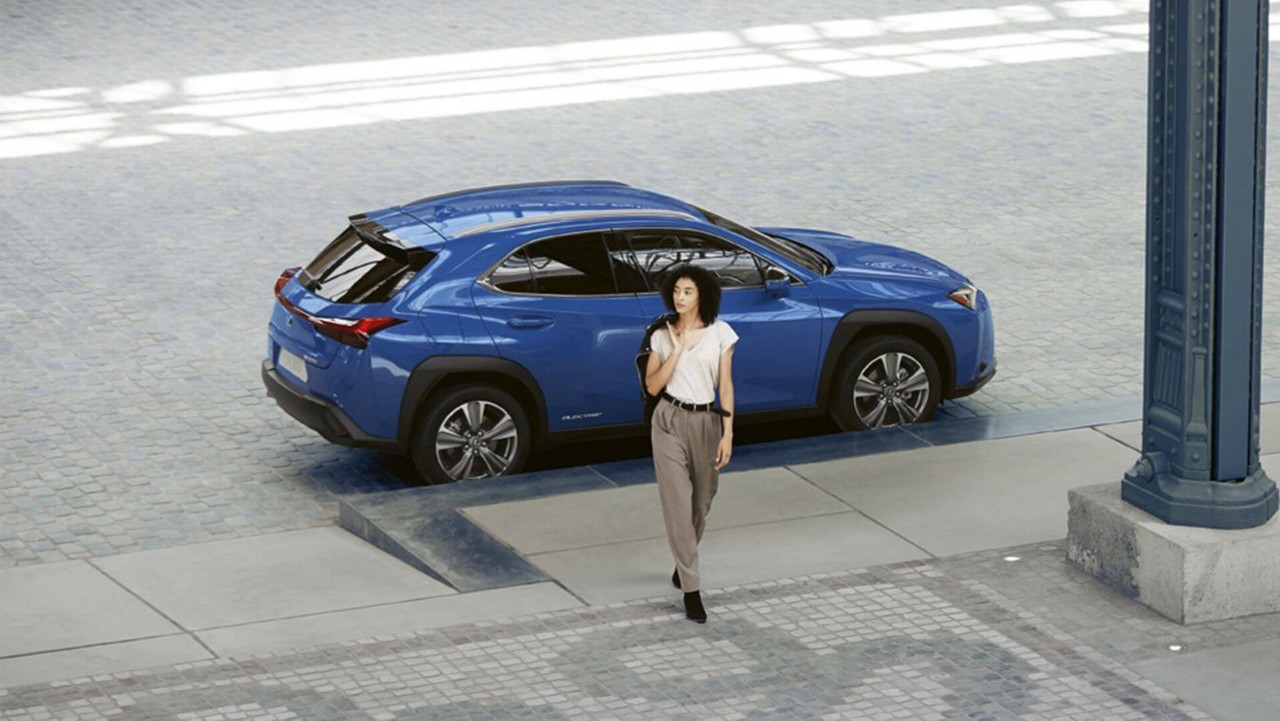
{"x": 693, "y": 439}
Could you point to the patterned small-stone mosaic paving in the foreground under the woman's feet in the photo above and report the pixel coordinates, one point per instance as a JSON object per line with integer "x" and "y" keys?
{"x": 964, "y": 638}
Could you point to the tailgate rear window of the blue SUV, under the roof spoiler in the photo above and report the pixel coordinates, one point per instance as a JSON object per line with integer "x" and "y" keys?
{"x": 363, "y": 267}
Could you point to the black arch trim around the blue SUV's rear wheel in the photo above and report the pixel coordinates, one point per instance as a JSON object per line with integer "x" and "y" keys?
{"x": 437, "y": 371}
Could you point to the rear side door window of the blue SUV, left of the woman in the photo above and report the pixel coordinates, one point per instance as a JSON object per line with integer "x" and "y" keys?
{"x": 570, "y": 266}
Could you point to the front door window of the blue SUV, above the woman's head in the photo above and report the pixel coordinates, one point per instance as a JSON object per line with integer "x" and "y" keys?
{"x": 659, "y": 252}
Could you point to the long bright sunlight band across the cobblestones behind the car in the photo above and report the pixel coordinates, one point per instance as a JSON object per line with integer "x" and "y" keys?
{"x": 335, "y": 95}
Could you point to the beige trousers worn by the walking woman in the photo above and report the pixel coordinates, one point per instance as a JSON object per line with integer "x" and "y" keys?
{"x": 684, "y": 460}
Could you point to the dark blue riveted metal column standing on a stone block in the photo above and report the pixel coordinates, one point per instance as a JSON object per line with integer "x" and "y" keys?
{"x": 1205, "y": 221}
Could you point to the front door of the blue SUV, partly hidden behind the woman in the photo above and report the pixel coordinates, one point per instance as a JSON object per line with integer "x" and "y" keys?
{"x": 776, "y": 360}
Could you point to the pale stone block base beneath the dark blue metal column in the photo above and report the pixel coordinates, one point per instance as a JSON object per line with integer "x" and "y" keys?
{"x": 1185, "y": 573}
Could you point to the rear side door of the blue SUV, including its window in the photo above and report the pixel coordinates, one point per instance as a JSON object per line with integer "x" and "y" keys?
{"x": 554, "y": 308}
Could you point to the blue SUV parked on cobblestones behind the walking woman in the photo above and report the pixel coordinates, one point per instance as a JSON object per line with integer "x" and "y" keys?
{"x": 470, "y": 328}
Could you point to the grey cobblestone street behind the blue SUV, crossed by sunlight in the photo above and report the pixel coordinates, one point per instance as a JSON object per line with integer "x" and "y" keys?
{"x": 163, "y": 162}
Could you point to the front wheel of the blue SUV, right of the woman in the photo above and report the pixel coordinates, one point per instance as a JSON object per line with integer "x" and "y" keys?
{"x": 880, "y": 401}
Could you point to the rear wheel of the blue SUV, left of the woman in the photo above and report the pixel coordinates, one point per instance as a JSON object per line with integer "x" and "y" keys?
{"x": 470, "y": 413}
